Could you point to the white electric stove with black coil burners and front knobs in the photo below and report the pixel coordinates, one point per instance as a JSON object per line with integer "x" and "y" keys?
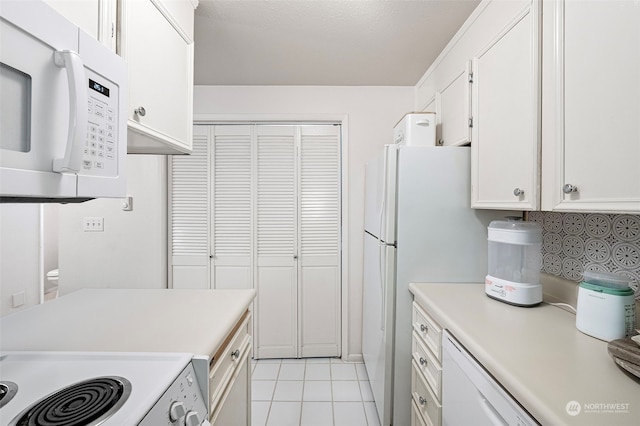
{"x": 107, "y": 389}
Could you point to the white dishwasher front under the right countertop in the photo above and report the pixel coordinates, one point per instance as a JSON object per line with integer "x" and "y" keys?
{"x": 470, "y": 396}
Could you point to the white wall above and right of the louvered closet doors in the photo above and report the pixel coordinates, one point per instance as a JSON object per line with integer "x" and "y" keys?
{"x": 371, "y": 113}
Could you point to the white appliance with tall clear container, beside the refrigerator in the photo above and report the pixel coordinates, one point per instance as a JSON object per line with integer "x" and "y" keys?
{"x": 514, "y": 262}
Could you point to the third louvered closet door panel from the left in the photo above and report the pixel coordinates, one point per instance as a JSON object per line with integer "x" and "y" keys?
{"x": 277, "y": 306}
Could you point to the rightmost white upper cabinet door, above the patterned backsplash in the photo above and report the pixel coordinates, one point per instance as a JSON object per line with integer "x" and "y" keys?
{"x": 591, "y": 91}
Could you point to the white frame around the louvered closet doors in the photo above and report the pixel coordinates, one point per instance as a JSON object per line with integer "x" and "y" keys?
{"x": 312, "y": 119}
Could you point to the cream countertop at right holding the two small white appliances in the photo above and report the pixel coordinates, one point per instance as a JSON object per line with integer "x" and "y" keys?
{"x": 537, "y": 354}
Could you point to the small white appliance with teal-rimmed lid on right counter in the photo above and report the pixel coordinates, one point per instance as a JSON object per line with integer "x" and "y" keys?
{"x": 606, "y": 306}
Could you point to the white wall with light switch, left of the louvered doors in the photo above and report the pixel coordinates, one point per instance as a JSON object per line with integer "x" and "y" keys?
{"x": 132, "y": 250}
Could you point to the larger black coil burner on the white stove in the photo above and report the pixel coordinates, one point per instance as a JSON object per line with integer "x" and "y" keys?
{"x": 86, "y": 403}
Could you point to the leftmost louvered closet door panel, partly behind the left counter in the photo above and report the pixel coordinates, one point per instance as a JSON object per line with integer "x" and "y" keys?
{"x": 189, "y": 192}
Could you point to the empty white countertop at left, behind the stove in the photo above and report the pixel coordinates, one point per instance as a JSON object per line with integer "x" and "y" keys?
{"x": 193, "y": 321}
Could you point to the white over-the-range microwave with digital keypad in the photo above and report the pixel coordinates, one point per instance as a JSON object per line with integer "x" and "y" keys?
{"x": 63, "y": 134}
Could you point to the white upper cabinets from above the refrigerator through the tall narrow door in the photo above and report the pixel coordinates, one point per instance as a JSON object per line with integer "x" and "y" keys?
{"x": 487, "y": 93}
